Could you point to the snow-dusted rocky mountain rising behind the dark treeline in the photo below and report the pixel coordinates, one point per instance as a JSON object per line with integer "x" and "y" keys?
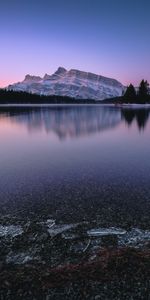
{"x": 72, "y": 83}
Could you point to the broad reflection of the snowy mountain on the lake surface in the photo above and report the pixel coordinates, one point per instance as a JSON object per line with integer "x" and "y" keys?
{"x": 64, "y": 121}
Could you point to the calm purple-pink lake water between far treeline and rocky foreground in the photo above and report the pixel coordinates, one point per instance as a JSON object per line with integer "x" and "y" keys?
{"x": 76, "y": 163}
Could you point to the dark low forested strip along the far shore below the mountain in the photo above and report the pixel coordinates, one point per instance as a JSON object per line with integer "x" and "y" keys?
{"x": 19, "y": 98}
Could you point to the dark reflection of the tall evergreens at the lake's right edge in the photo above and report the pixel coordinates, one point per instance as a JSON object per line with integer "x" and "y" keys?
{"x": 140, "y": 115}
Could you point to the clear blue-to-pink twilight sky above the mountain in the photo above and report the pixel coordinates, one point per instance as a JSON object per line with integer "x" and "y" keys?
{"x": 106, "y": 37}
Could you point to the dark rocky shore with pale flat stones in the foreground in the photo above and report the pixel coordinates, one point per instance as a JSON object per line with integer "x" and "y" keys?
{"x": 49, "y": 260}
